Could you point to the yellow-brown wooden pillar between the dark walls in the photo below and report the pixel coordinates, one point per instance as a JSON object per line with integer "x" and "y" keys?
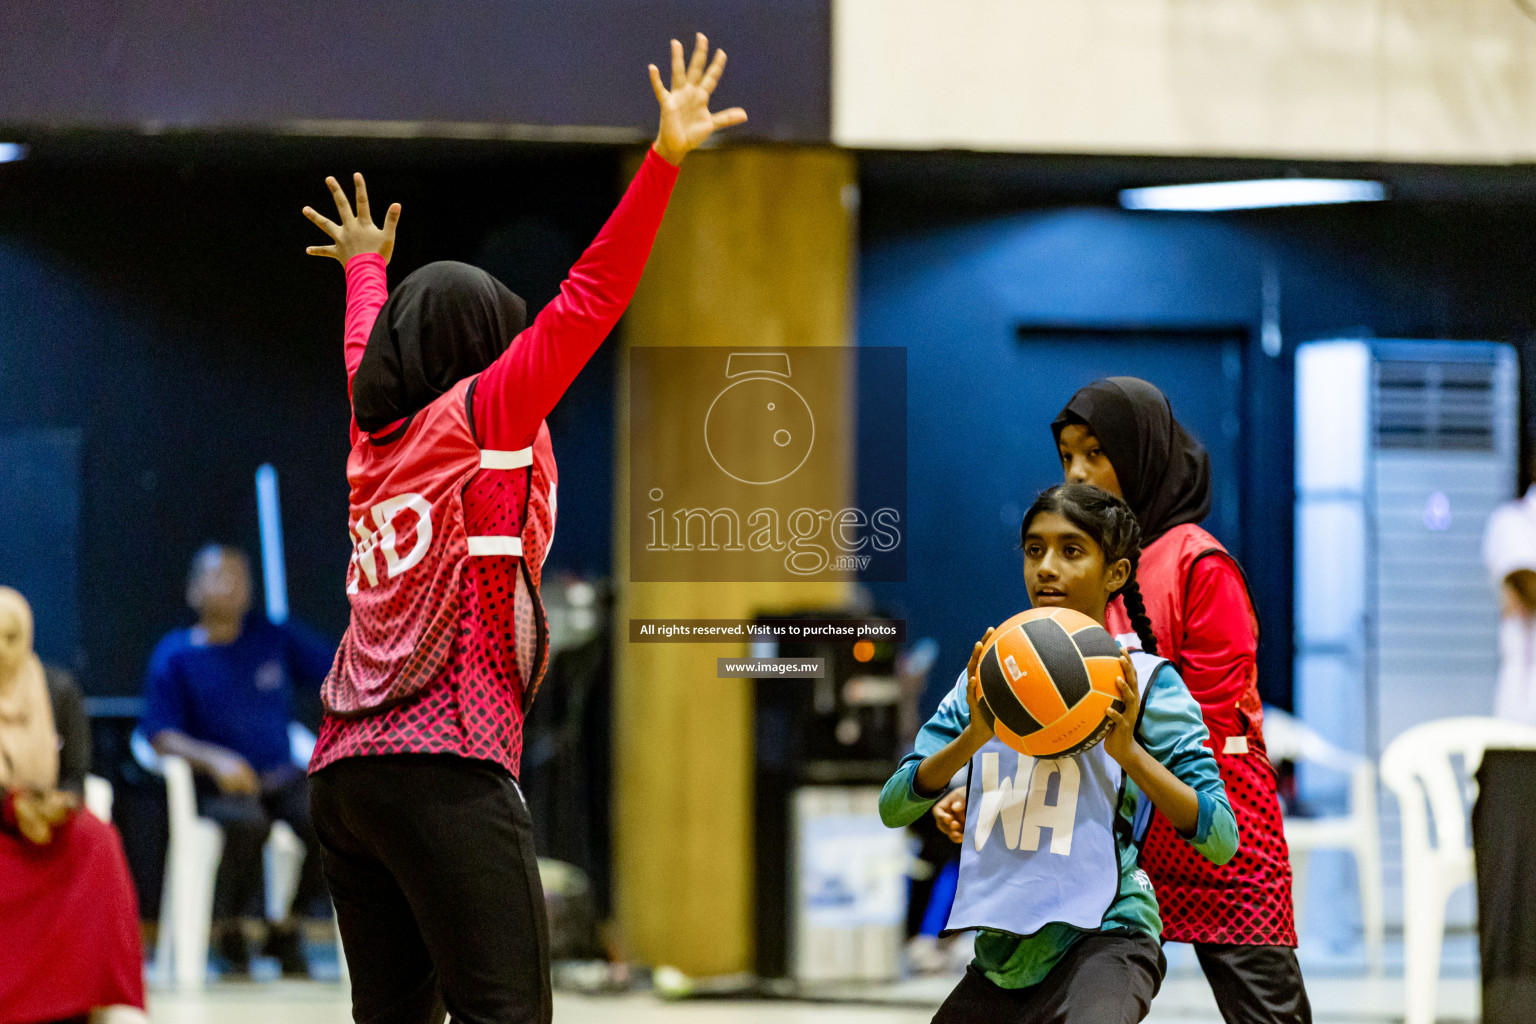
{"x": 756, "y": 249}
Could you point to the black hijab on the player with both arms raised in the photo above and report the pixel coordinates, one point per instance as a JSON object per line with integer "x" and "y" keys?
{"x": 442, "y": 325}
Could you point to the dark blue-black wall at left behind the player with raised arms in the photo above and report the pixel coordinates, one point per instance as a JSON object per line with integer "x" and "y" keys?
{"x": 162, "y": 305}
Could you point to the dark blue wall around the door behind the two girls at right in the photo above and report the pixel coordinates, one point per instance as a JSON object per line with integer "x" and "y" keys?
{"x": 956, "y": 292}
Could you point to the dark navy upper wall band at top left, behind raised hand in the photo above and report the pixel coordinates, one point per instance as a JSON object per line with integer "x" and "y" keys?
{"x": 270, "y": 64}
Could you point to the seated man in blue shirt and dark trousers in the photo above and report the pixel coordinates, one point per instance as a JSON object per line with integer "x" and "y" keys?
{"x": 220, "y": 695}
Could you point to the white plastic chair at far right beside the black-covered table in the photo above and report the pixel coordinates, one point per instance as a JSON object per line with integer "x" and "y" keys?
{"x": 1437, "y": 857}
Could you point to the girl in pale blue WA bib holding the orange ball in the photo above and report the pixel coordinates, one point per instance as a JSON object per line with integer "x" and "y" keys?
{"x": 1068, "y": 927}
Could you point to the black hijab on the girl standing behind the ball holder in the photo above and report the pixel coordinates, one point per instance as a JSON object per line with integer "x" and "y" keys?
{"x": 1164, "y": 471}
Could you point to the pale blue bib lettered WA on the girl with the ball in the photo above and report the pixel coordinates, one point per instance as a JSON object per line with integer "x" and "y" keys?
{"x": 1041, "y": 837}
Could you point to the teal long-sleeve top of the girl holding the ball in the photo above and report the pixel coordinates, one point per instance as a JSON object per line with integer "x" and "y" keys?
{"x": 1171, "y": 730}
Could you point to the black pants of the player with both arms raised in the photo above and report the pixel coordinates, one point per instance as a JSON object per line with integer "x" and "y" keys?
{"x": 437, "y": 888}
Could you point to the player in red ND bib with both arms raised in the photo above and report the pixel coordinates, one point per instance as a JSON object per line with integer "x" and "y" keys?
{"x": 425, "y": 837}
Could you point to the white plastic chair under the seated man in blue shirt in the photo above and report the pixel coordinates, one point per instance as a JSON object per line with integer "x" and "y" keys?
{"x": 193, "y": 856}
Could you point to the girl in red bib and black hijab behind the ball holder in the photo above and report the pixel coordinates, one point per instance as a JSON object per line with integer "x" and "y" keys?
{"x": 1121, "y": 435}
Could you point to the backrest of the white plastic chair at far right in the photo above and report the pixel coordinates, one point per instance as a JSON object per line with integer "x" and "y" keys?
{"x": 1417, "y": 767}
